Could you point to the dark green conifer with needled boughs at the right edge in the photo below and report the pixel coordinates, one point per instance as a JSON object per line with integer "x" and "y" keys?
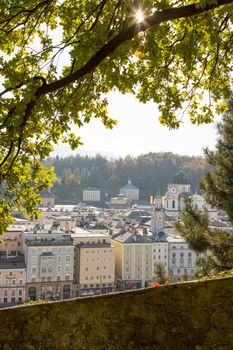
{"x": 195, "y": 226}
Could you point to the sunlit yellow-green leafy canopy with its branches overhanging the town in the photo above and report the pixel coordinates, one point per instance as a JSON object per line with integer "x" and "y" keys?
{"x": 59, "y": 59}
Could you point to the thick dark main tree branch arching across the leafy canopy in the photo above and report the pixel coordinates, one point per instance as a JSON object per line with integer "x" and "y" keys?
{"x": 124, "y": 35}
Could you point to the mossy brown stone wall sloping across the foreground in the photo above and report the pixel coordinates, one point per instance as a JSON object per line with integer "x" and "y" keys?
{"x": 193, "y": 315}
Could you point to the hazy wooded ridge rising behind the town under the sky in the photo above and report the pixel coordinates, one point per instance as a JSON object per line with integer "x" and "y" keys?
{"x": 146, "y": 172}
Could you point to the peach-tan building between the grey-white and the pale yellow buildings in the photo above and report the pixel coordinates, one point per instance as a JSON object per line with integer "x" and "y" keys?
{"x": 94, "y": 269}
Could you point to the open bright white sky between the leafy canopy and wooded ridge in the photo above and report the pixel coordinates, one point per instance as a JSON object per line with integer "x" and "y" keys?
{"x": 139, "y": 131}
